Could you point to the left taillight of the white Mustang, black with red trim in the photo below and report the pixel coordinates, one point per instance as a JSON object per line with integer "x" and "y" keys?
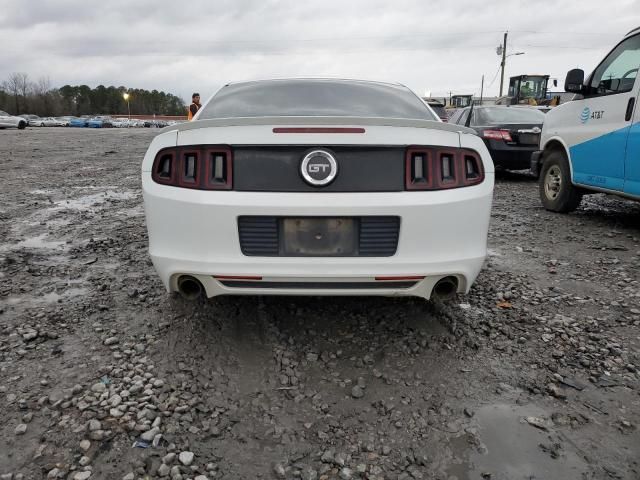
{"x": 203, "y": 167}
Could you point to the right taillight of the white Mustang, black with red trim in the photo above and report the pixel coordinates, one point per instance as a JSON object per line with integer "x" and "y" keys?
{"x": 433, "y": 168}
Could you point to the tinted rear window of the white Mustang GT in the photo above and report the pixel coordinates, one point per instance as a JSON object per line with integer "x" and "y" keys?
{"x": 315, "y": 98}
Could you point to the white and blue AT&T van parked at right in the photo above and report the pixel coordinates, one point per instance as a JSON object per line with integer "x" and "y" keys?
{"x": 592, "y": 144}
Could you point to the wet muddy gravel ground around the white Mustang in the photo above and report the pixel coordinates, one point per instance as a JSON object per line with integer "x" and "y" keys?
{"x": 103, "y": 375}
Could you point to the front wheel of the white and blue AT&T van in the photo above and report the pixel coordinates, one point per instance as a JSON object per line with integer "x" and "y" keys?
{"x": 556, "y": 190}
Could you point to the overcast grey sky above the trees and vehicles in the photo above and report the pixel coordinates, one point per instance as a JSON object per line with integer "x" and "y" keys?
{"x": 186, "y": 46}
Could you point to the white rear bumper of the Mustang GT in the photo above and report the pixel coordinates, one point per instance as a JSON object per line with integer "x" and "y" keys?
{"x": 193, "y": 232}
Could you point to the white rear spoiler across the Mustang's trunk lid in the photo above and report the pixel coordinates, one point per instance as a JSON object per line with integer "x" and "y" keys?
{"x": 343, "y": 121}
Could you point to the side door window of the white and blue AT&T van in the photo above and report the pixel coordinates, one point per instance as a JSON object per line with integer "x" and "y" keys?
{"x": 617, "y": 73}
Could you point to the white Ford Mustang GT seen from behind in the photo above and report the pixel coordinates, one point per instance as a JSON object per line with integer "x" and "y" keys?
{"x": 317, "y": 187}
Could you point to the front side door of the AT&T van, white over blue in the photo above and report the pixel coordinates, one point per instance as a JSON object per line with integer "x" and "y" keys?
{"x": 599, "y": 154}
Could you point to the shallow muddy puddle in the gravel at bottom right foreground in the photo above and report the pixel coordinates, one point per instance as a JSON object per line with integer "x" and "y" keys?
{"x": 508, "y": 448}
